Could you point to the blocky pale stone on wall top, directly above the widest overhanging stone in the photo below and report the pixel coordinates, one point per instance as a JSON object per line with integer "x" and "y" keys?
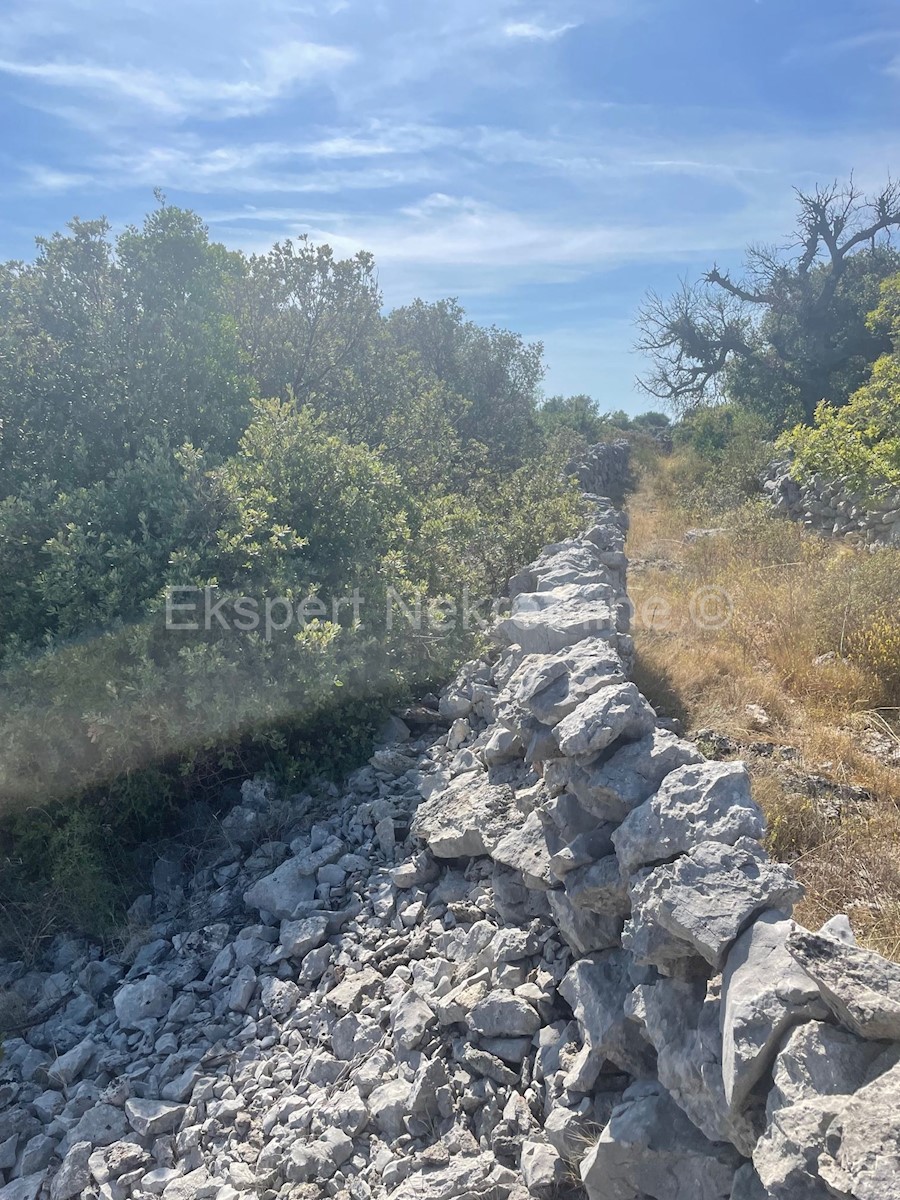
{"x": 704, "y": 802}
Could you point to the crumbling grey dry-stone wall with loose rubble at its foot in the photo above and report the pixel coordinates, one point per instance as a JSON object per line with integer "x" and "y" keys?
{"x": 535, "y": 950}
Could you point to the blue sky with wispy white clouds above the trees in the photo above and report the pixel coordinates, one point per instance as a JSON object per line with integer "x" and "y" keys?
{"x": 545, "y": 164}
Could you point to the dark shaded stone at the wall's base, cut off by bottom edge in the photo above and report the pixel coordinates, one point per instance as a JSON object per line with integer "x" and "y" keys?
{"x": 651, "y": 1150}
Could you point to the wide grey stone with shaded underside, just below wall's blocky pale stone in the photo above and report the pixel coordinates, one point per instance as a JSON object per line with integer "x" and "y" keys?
{"x": 700, "y": 904}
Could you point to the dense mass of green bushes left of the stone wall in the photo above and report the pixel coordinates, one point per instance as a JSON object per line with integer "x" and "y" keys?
{"x": 400, "y": 457}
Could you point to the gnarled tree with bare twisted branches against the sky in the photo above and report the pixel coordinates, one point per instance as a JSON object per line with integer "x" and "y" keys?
{"x": 793, "y": 329}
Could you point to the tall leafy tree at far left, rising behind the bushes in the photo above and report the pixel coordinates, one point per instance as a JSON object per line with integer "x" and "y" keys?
{"x": 107, "y": 347}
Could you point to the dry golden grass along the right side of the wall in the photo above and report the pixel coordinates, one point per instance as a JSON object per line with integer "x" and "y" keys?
{"x": 789, "y": 598}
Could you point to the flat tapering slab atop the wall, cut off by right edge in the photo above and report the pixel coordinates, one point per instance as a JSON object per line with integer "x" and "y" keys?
{"x": 861, "y": 988}
